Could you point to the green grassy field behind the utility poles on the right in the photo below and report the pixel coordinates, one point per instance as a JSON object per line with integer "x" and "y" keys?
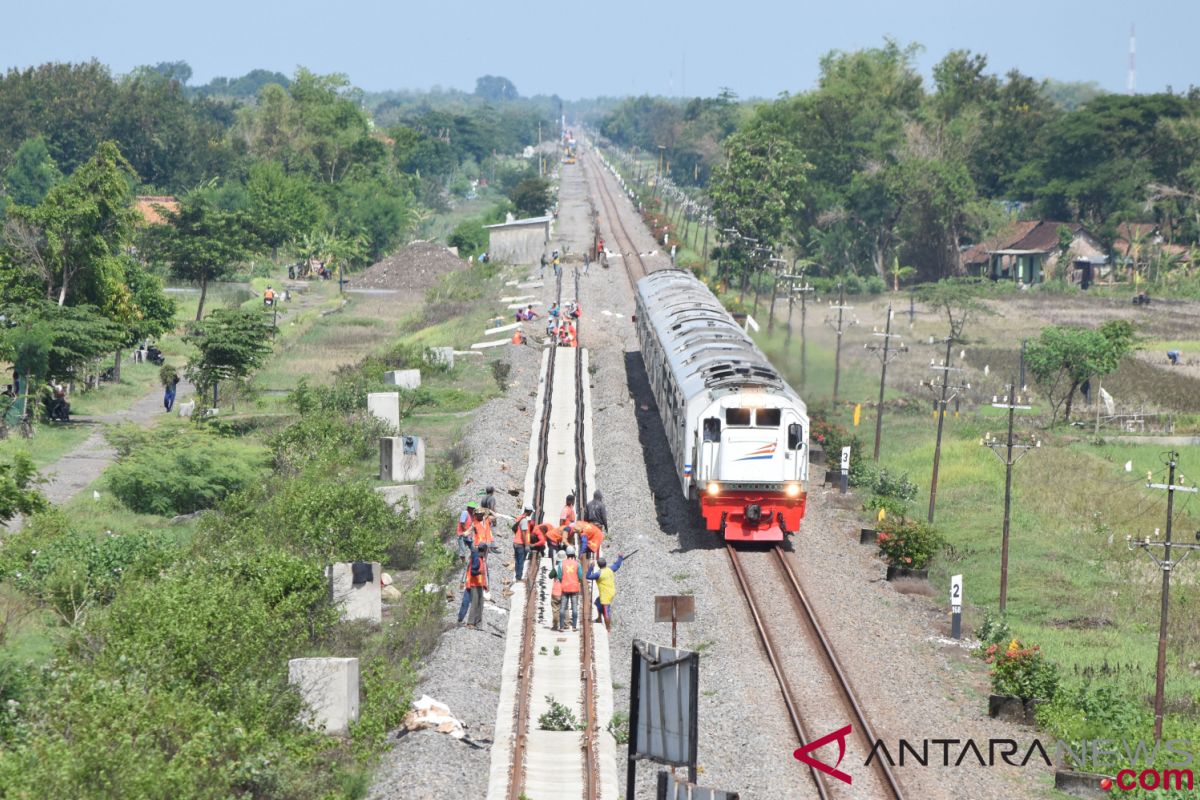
{"x": 1073, "y": 586}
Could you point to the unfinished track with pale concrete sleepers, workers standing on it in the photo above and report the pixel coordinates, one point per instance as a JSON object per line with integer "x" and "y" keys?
{"x": 539, "y": 763}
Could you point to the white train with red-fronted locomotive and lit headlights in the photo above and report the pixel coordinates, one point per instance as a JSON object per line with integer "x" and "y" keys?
{"x": 739, "y": 434}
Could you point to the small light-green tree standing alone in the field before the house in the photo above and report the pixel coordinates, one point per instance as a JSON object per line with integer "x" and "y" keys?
{"x": 1063, "y": 358}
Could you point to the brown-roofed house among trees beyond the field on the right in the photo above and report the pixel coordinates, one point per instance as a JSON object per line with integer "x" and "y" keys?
{"x": 1030, "y": 251}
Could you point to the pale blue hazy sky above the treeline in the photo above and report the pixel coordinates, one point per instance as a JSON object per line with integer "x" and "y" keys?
{"x": 620, "y": 47}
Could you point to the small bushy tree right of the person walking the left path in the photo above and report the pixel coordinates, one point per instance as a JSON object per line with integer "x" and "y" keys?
{"x": 232, "y": 345}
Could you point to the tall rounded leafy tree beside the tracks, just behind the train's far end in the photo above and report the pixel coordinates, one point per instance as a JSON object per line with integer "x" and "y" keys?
{"x": 759, "y": 189}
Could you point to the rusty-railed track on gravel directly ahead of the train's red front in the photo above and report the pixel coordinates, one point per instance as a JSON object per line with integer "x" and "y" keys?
{"x": 889, "y": 786}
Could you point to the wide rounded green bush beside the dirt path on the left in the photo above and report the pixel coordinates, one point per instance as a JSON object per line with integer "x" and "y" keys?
{"x": 181, "y": 471}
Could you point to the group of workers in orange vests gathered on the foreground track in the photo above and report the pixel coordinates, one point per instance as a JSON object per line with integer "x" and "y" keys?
{"x": 565, "y": 543}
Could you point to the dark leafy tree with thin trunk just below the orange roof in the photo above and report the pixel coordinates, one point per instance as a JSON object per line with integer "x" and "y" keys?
{"x": 205, "y": 243}
